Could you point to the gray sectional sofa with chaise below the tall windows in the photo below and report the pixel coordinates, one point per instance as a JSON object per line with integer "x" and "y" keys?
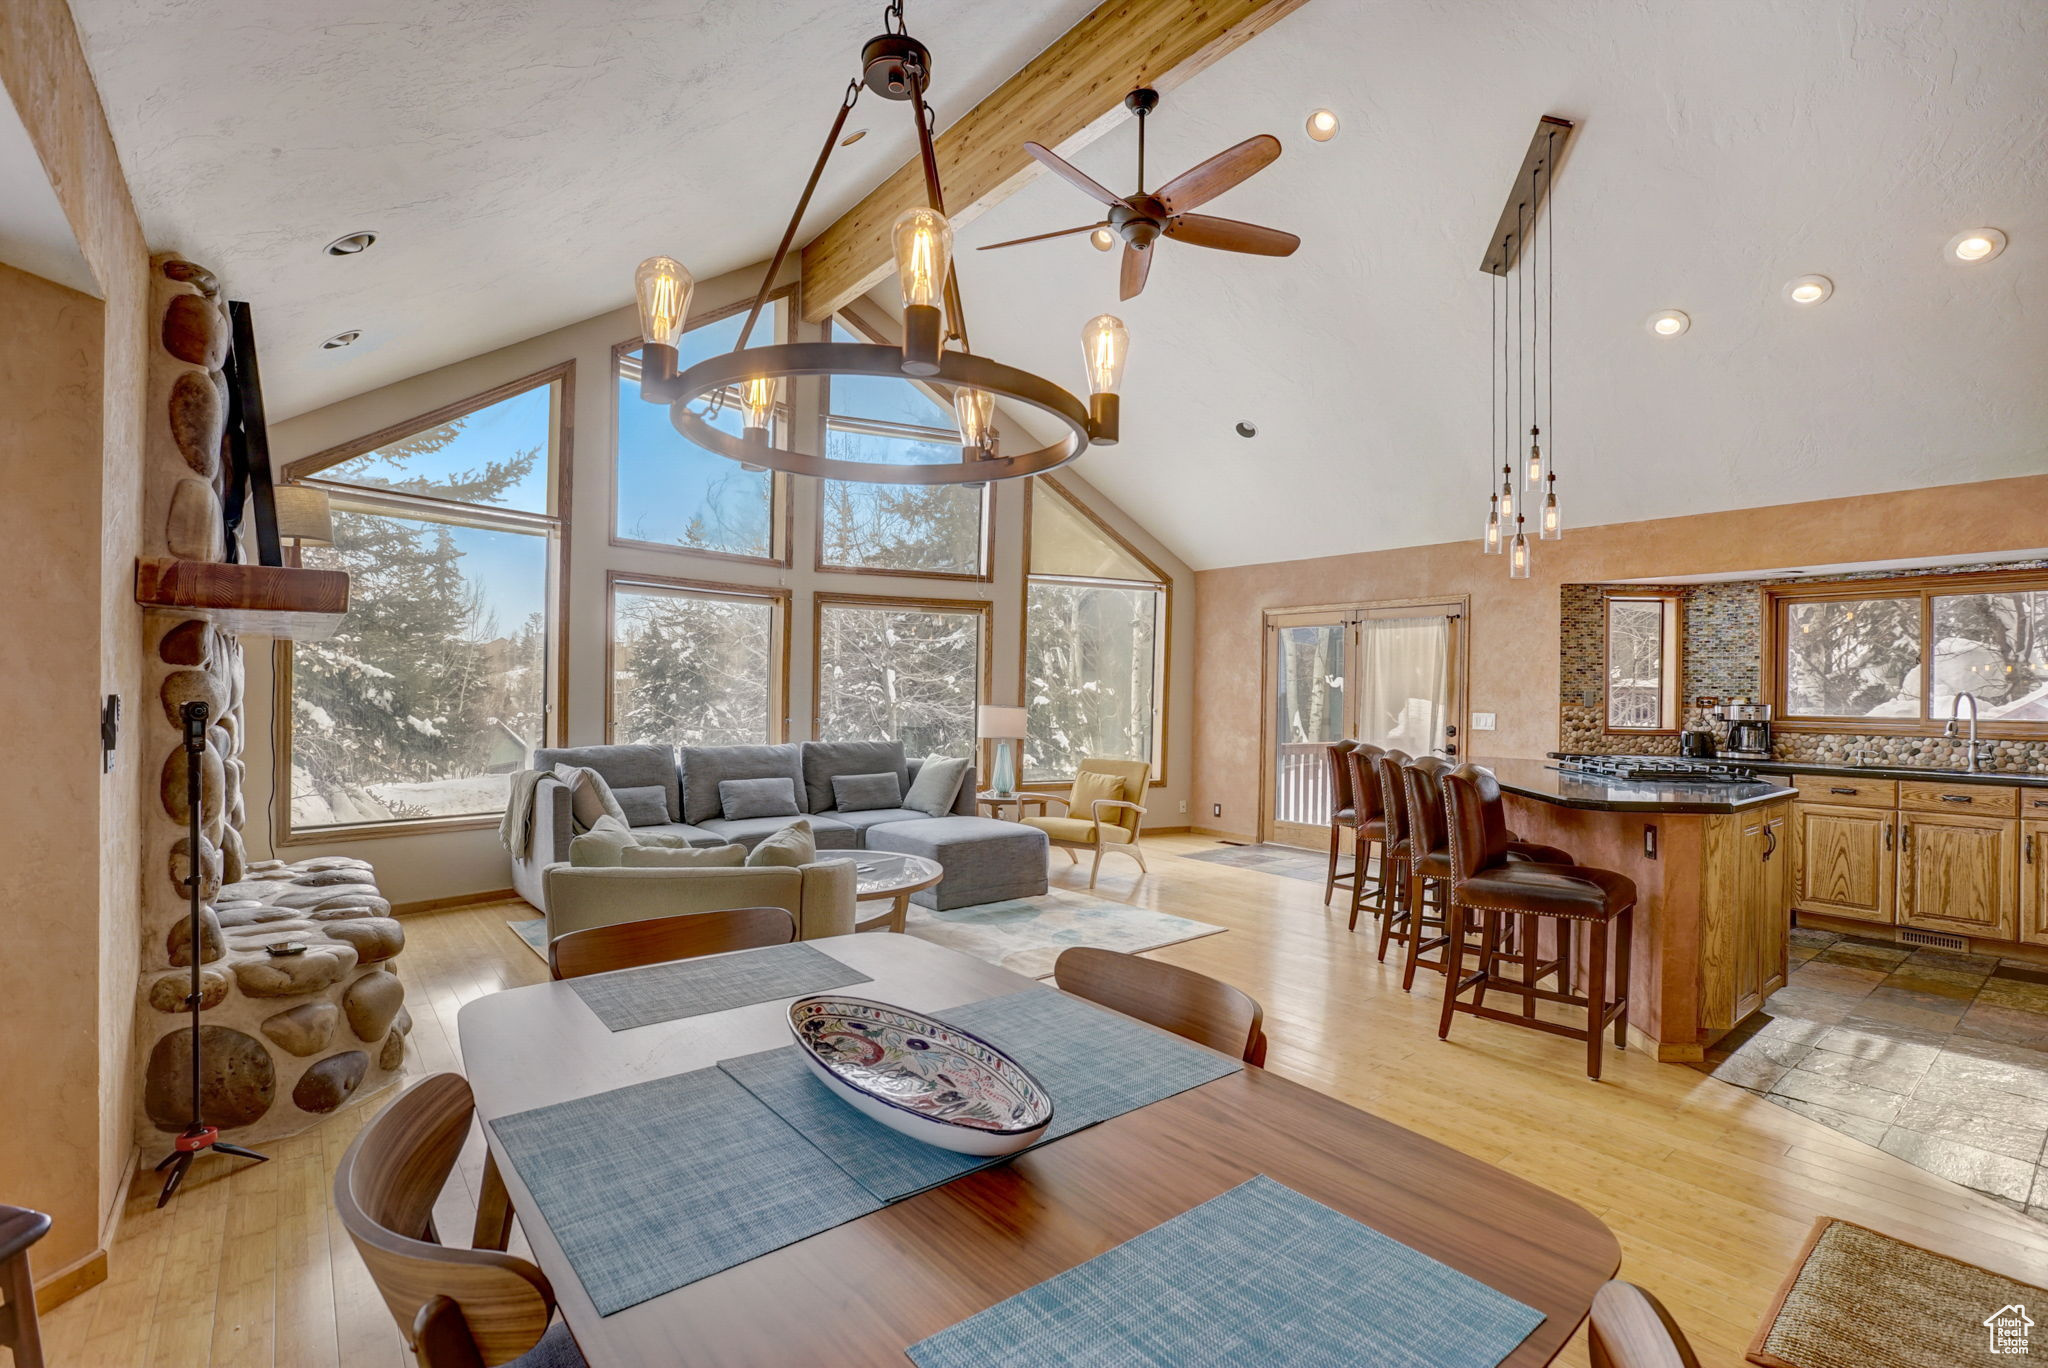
{"x": 685, "y": 789}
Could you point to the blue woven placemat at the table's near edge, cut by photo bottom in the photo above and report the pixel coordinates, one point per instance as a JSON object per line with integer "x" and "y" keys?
{"x": 1254, "y": 1277}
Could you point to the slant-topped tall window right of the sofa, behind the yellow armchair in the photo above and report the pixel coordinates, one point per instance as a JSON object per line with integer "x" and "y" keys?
{"x": 1095, "y": 642}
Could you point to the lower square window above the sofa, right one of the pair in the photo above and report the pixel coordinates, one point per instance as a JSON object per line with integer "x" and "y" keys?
{"x": 900, "y": 671}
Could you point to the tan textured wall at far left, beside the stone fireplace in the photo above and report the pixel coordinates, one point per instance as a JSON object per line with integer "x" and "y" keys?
{"x": 91, "y": 562}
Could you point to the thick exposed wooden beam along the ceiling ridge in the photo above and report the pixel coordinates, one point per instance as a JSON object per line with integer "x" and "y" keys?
{"x": 1066, "y": 97}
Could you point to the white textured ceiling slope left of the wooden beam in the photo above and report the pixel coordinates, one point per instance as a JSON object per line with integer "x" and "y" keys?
{"x": 517, "y": 159}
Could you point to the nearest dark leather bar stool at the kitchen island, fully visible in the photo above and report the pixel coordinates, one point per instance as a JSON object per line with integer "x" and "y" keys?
{"x": 1492, "y": 888}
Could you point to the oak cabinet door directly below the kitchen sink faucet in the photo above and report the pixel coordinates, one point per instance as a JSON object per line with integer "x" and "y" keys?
{"x": 1959, "y": 875}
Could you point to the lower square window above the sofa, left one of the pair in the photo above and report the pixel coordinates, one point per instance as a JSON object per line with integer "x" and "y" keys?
{"x": 695, "y": 665}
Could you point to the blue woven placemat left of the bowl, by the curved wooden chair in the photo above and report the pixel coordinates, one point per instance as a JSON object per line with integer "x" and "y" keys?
{"x": 654, "y": 1187}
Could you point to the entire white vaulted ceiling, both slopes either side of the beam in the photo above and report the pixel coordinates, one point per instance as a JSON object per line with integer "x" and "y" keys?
{"x": 519, "y": 167}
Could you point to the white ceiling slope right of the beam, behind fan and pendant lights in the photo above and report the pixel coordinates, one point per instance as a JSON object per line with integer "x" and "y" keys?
{"x": 1725, "y": 148}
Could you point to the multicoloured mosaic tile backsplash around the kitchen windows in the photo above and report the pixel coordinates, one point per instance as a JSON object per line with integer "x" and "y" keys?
{"x": 1723, "y": 656}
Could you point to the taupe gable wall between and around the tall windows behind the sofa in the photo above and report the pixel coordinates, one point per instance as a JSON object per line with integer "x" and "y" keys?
{"x": 456, "y": 863}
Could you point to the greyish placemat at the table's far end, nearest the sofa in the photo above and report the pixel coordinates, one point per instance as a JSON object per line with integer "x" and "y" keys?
{"x": 630, "y": 998}
